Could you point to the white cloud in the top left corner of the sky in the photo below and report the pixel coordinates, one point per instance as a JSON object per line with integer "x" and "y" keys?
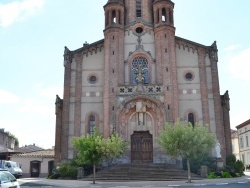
{"x": 18, "y": 11}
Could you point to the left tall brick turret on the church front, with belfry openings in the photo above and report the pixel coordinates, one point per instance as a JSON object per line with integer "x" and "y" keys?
{"x": 113, "y": 60}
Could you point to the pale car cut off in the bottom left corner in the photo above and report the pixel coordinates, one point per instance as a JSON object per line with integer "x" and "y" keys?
{"x": 7, "y": 180}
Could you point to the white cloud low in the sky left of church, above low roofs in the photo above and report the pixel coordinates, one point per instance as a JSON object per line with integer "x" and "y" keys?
{"x": 29, "y": 117}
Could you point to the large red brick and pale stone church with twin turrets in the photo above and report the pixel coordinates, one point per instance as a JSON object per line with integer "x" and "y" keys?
{"x": 140, "y": 76}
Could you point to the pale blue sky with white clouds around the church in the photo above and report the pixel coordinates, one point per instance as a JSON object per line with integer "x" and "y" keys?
{"x": 33, "y": 34}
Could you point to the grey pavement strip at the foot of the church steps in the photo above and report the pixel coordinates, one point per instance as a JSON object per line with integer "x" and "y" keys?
{"x": 134, "y": 184}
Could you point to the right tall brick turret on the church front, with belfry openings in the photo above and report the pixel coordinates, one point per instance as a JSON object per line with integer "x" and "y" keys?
{"x": 165, "y": 54}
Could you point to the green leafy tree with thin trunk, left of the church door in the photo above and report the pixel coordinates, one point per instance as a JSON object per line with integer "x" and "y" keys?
{"x": 92, "y": 149}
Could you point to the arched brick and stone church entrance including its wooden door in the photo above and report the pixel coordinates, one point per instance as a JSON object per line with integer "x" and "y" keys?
{"x": 140, "y": 118}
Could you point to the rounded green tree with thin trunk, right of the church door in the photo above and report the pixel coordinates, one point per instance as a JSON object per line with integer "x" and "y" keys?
{"x": 186, "y": 141}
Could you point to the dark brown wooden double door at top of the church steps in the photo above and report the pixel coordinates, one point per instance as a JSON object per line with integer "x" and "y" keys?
{"x": 141, "y": 147}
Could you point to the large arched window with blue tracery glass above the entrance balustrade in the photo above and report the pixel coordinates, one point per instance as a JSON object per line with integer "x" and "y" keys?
{"x": 139, "y": 68}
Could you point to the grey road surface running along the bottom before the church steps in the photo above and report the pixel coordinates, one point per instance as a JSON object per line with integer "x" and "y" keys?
{"x": 217, "y": 183}
